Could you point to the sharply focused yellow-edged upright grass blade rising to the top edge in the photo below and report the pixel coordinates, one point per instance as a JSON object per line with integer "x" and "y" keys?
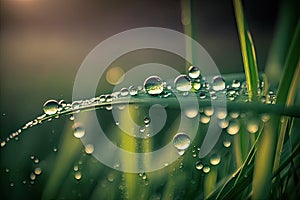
{"x": 248, "y": 51}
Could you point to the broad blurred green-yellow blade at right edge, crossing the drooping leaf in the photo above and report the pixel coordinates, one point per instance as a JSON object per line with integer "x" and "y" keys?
{"x": 265, "y": 158}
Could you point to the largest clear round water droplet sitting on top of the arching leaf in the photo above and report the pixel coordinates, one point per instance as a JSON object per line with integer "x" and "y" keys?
{"x": 153, "y": 85}
